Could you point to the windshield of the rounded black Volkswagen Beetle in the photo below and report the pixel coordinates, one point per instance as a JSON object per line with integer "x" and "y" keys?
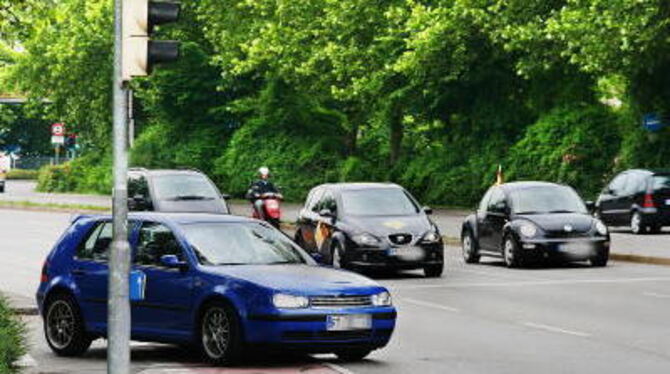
{"x": 543, "y": 199}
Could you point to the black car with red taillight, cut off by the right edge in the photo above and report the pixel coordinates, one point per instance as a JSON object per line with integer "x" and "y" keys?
{"x": 637, "y": 198}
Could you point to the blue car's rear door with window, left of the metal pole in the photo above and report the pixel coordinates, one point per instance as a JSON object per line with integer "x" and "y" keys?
{"x": 90, "y": 272}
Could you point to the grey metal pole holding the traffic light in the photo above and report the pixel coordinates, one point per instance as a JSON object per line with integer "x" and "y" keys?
{"x": 118, "y": 329}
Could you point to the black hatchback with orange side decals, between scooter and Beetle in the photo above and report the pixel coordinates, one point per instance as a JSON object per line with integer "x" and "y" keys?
{"x": 369, "y": 226}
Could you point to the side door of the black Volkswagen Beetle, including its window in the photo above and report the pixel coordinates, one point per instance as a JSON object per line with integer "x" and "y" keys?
{"x": 493, "y": 221}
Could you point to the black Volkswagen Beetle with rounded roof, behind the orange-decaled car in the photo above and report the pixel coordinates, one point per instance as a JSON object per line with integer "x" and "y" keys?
{"x": 526, "y": 221}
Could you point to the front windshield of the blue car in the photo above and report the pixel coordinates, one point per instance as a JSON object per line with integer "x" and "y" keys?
{"x": 242, "y": 244}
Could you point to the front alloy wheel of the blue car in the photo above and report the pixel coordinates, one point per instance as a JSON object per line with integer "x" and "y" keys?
{"x": 216, "y": 333}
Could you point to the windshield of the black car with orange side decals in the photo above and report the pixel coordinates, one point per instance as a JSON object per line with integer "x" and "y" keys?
{"x": 378, "y": 202}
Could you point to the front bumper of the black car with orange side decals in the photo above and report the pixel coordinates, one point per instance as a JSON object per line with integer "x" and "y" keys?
{"x": 396, "y": 257}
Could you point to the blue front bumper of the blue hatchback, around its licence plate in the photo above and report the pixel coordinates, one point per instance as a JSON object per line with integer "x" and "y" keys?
{"x": 307, "y": 330}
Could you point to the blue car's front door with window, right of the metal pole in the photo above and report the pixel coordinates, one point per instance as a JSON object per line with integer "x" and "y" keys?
{"x": 168, "y": 296}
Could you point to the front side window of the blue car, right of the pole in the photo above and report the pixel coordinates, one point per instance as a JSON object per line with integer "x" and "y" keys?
{"x": 156, "y": 240}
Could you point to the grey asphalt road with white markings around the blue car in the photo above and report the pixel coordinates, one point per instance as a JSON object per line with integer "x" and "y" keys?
{"x": 475, "y": 319}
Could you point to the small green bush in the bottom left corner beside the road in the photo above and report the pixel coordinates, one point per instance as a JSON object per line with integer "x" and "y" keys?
{"x": 12, "y": 337}
